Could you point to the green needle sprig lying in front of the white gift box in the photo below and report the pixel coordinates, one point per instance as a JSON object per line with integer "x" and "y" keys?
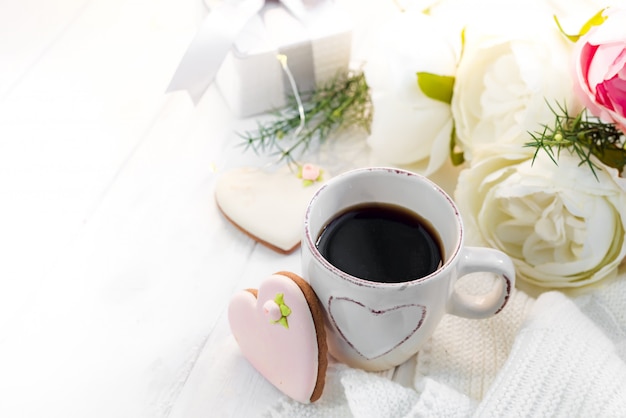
{"x": 341, "y": 102}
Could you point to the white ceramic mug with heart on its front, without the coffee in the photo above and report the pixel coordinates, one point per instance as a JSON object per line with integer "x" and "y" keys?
{"x": 376, "y": 326}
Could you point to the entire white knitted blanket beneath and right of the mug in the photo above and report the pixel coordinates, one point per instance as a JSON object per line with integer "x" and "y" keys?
{"x": 553, "y": 356}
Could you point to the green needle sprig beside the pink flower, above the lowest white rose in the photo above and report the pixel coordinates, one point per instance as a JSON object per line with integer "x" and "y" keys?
{"x": 583, "y": 136}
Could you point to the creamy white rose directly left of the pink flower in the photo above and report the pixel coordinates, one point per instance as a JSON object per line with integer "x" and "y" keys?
{"x": 506, "y": 79}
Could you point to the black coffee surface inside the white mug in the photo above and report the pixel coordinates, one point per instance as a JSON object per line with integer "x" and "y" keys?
{"x": 381, "y": 242}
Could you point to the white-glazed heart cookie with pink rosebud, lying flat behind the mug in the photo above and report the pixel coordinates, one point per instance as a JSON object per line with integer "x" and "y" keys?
{"x": 269, "y": 207}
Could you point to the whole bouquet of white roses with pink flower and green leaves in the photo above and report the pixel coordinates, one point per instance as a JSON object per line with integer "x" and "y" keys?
{"x": 530, "y": 97}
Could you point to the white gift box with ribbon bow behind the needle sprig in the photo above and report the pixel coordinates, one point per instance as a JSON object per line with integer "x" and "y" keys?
{"x": 317, "y": 44}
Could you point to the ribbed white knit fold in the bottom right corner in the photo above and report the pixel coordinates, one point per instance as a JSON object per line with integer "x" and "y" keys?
{"x": 561, "y": 365}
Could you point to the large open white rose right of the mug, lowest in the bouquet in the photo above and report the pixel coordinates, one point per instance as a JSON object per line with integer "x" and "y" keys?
{"x": 561, "y": 226}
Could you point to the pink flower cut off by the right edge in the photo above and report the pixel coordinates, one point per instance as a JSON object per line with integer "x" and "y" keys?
{"x": 600, "y": 69}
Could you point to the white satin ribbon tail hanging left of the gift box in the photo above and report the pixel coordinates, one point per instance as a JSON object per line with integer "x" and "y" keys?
{"x": 207, "y": 51}
